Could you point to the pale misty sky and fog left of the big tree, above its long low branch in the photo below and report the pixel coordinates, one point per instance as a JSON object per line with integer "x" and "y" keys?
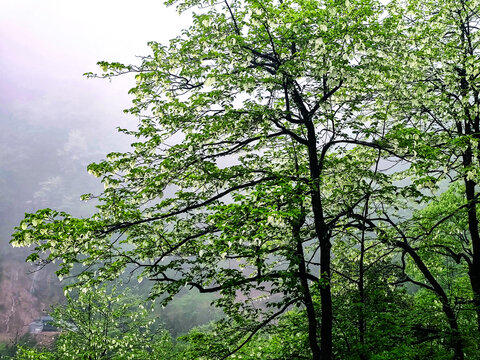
{"x": 53, "y": 120}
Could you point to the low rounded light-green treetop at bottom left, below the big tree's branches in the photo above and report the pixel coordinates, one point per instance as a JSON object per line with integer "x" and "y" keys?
{"x": 105, "y": 324}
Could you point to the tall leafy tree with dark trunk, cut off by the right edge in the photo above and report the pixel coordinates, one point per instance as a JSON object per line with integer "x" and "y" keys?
{"x": 440, "y": 98}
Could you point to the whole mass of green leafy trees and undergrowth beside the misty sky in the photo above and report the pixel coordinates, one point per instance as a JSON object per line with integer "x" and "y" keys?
{"x": 308, "y": 166}
